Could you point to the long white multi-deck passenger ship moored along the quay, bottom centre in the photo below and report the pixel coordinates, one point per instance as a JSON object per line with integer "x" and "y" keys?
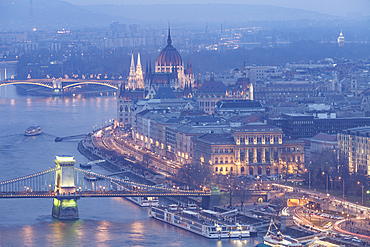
{"x": 206, "y": 223}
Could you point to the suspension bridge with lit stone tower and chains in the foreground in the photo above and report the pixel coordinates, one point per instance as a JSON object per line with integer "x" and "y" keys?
{"x": 66, "y": 184}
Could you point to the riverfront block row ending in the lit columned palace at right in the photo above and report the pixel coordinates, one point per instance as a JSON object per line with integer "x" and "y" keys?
{"x": 188, "y": 136}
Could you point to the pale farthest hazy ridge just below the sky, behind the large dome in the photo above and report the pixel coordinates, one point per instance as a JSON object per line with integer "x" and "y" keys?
{"x": 206, "y": 12}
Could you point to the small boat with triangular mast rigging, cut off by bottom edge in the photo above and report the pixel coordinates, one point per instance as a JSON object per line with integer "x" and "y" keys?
{"x": 278, "y": 239}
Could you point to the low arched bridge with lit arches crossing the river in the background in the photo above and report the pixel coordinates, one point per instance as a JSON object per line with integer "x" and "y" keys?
{"x": 59, "y": 85}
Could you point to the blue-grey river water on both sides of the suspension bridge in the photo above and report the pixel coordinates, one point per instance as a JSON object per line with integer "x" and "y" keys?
{"x": 103, "y": 221}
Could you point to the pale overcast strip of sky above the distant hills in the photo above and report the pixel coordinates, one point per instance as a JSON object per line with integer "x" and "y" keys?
{"x": 333, "y": 7}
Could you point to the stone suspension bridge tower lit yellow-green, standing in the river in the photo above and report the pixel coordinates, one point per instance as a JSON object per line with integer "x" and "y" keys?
{"x": 65, "y": 203}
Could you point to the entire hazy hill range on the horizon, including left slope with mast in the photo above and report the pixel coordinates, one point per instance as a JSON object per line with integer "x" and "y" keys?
{"x": 55, "y": 14}
